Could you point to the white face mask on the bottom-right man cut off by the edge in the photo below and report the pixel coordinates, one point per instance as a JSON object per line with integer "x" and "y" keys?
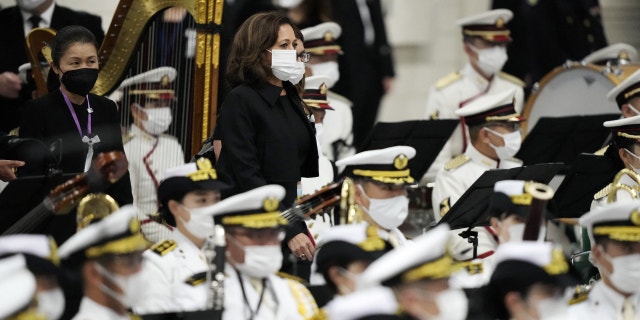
{"x": 626, "y": 271}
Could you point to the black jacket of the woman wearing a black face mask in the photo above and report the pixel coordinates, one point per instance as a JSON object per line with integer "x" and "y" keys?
{"x": 49, "y": 120}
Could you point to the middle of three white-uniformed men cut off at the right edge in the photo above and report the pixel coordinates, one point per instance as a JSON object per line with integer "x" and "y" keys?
{"x": 624, "y": 149}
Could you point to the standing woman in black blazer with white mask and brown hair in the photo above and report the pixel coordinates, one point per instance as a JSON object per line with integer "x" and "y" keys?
{"x": 267, "y": 138}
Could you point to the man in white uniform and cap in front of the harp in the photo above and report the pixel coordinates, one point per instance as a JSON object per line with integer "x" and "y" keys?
{"x": 150, "y": 152}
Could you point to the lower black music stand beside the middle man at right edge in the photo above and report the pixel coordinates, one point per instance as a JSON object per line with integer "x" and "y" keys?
{"x": 589, "y": 173}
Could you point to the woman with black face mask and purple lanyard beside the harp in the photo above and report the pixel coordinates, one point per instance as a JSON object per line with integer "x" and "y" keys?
{"x": 81, "y": 124}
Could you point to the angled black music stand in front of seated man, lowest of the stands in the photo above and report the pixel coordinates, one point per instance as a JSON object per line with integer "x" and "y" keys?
{"x": 471, "y": 209}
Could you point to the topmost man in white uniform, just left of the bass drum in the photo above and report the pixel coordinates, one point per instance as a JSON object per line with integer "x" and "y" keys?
{"x": 485, "y": 37}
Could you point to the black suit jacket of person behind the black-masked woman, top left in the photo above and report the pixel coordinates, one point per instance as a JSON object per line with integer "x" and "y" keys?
{"x": 14, "y": 51}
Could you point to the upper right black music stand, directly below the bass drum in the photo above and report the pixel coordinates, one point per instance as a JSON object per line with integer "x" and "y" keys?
{"x": 562, "y": 139}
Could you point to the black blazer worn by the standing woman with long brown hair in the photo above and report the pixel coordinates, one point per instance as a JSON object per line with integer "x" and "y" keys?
{"x": 257, "y": 143}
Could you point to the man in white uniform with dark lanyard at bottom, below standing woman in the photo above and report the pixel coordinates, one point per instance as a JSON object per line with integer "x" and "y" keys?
{"x": 253, "y": 230}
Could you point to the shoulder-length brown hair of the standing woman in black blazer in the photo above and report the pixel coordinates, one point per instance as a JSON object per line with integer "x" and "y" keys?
{"x": 247, "y": 59}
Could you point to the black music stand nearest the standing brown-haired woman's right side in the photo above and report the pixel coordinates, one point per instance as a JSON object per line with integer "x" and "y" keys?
{"x": 426, "y": 136}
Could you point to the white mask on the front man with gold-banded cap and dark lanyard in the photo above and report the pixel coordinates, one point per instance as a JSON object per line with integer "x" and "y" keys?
{"x": 259, "y": 261}
